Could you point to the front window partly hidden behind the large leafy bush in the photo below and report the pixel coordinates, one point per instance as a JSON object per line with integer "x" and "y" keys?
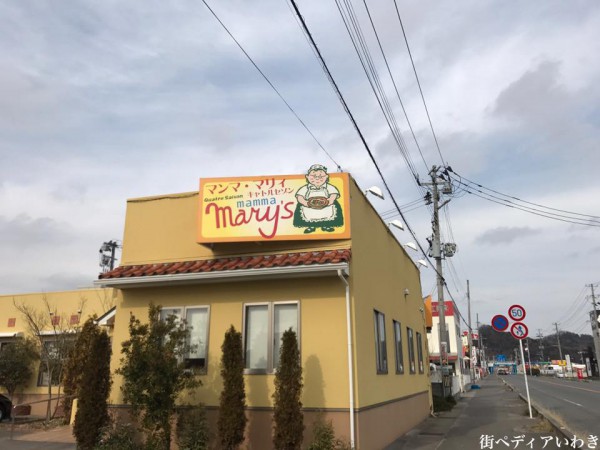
{"x": 196, "y": 322}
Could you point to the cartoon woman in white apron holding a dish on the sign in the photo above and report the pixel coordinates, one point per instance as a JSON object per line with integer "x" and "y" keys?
{"x": 318, "y": 205}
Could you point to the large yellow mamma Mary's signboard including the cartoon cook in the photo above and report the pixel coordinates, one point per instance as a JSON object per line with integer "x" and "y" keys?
{"x": 275, "y": 208}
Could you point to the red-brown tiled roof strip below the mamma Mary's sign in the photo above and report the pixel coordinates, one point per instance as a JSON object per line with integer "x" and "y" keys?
{"x": 222, "y": 264}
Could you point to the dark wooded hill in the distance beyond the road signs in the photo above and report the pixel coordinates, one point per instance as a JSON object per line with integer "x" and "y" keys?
{"x": 571, "y": 344}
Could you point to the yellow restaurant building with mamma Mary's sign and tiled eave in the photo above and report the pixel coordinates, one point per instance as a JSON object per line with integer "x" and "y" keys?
{"x": 261, "y": 254}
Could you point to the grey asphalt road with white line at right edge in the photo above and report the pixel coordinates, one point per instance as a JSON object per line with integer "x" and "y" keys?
{"x": 572, "y": 403}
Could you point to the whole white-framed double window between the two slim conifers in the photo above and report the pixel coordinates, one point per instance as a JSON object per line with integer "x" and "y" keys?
{"x": 264, "y": 325}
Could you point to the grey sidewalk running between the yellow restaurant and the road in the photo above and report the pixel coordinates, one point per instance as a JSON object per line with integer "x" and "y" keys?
{"x": 493, "y": 417}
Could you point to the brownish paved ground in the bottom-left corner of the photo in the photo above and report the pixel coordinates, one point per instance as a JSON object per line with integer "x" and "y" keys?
{"x": 59, "y": 438}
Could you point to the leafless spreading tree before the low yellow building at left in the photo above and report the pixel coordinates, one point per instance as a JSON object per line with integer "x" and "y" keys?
{"x": 54, "y": 335}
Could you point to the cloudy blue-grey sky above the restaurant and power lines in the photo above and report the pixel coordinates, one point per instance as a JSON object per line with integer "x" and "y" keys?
{"x": 105, "y": 101}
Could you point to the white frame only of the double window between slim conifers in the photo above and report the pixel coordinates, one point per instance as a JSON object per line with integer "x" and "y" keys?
{"x": 270, "y": 369}
